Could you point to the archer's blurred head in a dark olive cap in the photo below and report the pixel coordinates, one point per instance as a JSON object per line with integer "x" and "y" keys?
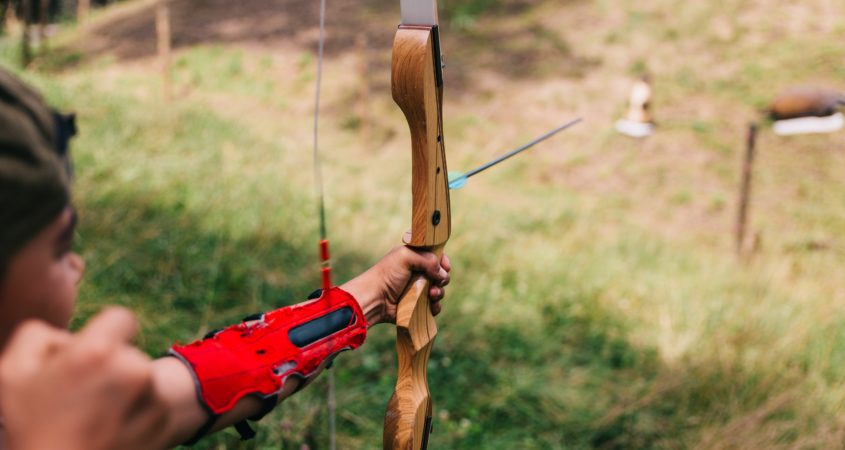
{"x": 38, "y": 270}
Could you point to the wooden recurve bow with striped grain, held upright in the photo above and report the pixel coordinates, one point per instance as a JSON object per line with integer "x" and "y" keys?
{"x": 417, "y": 85}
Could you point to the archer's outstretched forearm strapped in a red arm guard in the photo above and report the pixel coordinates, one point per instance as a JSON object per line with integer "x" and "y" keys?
{"x": 241, "y": 372}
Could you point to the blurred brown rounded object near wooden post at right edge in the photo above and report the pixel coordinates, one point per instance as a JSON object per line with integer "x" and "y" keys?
{"x": 806, "y": 101}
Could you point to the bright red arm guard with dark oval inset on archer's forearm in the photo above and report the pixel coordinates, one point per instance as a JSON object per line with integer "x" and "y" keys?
{"x": 258, "y": 356}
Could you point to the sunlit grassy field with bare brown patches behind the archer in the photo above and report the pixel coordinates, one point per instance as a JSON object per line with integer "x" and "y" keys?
{"x": 596, "y": 301}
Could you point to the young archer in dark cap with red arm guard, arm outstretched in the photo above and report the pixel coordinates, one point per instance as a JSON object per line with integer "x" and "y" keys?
{"x": 94, "y": 389}
